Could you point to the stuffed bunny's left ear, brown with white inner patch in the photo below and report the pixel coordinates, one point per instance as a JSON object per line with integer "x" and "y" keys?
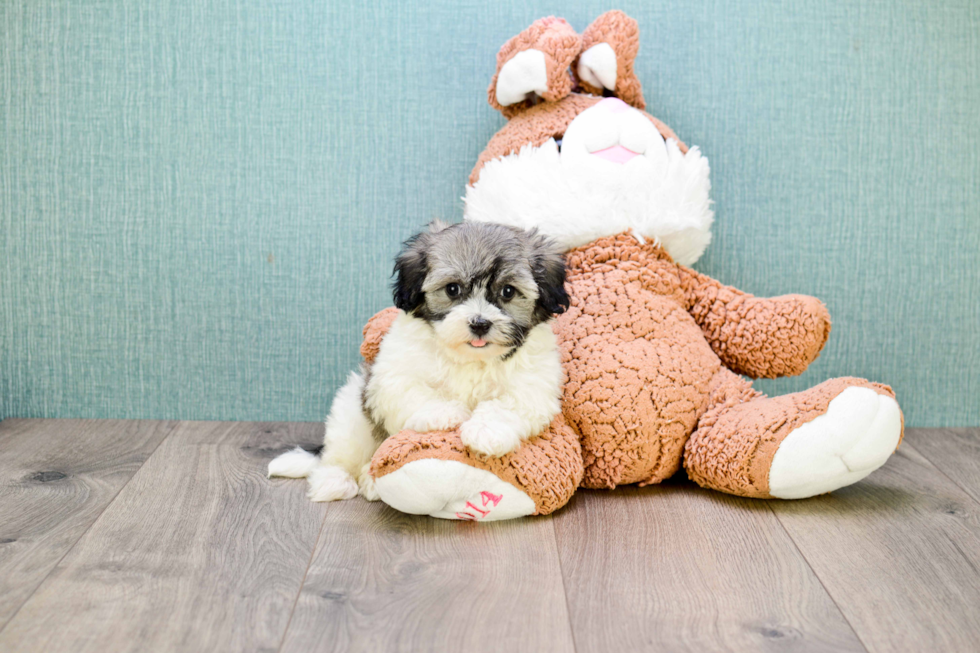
{"x": 535, "y": 62}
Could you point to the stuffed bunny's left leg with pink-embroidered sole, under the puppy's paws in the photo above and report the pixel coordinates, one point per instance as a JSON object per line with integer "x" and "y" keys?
{"x": 435, "y": 474}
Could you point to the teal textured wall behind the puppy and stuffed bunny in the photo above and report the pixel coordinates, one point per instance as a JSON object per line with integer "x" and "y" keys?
{"x": 199, "y": 201}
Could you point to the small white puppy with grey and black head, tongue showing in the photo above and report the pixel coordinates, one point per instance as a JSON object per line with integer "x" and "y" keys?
{"x": 472, "y": 348}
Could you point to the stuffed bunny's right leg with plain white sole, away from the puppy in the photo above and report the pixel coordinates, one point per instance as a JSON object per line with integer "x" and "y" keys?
{"x": 794, "y": 446}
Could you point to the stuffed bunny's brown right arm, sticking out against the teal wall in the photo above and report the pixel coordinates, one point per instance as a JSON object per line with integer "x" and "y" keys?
{"x": 756, "y": 336}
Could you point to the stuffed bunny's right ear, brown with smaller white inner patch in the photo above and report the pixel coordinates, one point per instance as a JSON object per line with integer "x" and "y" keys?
{"x": 605, "y": 67}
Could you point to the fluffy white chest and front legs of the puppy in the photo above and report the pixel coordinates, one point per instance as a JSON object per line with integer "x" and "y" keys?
{"x": 416, "y": 374}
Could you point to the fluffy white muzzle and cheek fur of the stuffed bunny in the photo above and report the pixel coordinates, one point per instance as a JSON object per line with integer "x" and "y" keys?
{"x": 576, "y": 197}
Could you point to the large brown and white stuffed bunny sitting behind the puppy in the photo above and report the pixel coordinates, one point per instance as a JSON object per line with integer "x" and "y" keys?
{"x": 653, "y": 351}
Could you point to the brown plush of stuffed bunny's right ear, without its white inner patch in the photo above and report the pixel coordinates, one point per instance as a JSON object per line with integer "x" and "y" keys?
{"x": 623, "y": 34}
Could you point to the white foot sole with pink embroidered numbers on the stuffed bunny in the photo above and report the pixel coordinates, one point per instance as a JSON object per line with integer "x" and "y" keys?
{"x": 449, "y": 489}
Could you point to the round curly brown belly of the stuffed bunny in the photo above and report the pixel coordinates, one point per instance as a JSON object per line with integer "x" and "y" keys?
{"x": 638, "y": 370}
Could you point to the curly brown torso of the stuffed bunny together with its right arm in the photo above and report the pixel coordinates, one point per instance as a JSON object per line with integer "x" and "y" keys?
{"x": 642, "y": 353}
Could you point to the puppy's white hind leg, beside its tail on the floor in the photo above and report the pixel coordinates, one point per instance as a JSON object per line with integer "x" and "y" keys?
{"x": 348, "y": 445}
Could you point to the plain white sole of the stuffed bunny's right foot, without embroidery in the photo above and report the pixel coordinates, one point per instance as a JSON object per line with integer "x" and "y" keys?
{"x": 856, "y": 435}
